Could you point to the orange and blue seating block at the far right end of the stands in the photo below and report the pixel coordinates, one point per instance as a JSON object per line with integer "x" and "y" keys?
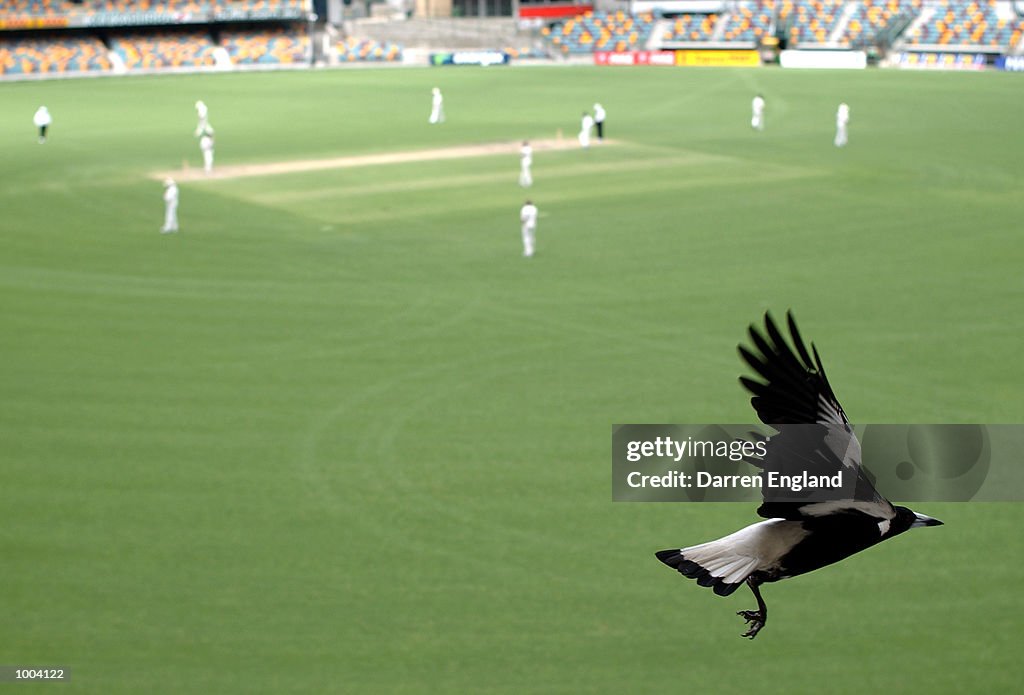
{"x": 961, "y": 25}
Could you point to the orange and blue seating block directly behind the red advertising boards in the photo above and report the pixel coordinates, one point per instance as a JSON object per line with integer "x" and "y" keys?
{"x": 603, "y": 32}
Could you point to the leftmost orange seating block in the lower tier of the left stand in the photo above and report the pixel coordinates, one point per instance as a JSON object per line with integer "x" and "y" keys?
{"x": 53, "y": 55}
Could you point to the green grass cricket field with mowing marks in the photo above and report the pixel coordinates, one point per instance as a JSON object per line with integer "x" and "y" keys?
{"x": 339, "y": 437}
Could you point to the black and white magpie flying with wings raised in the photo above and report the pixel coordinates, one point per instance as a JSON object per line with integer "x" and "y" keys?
{"x": 800, "y": 536}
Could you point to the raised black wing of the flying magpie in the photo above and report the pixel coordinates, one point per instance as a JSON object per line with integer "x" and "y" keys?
{"x": 815, "y": 435}
